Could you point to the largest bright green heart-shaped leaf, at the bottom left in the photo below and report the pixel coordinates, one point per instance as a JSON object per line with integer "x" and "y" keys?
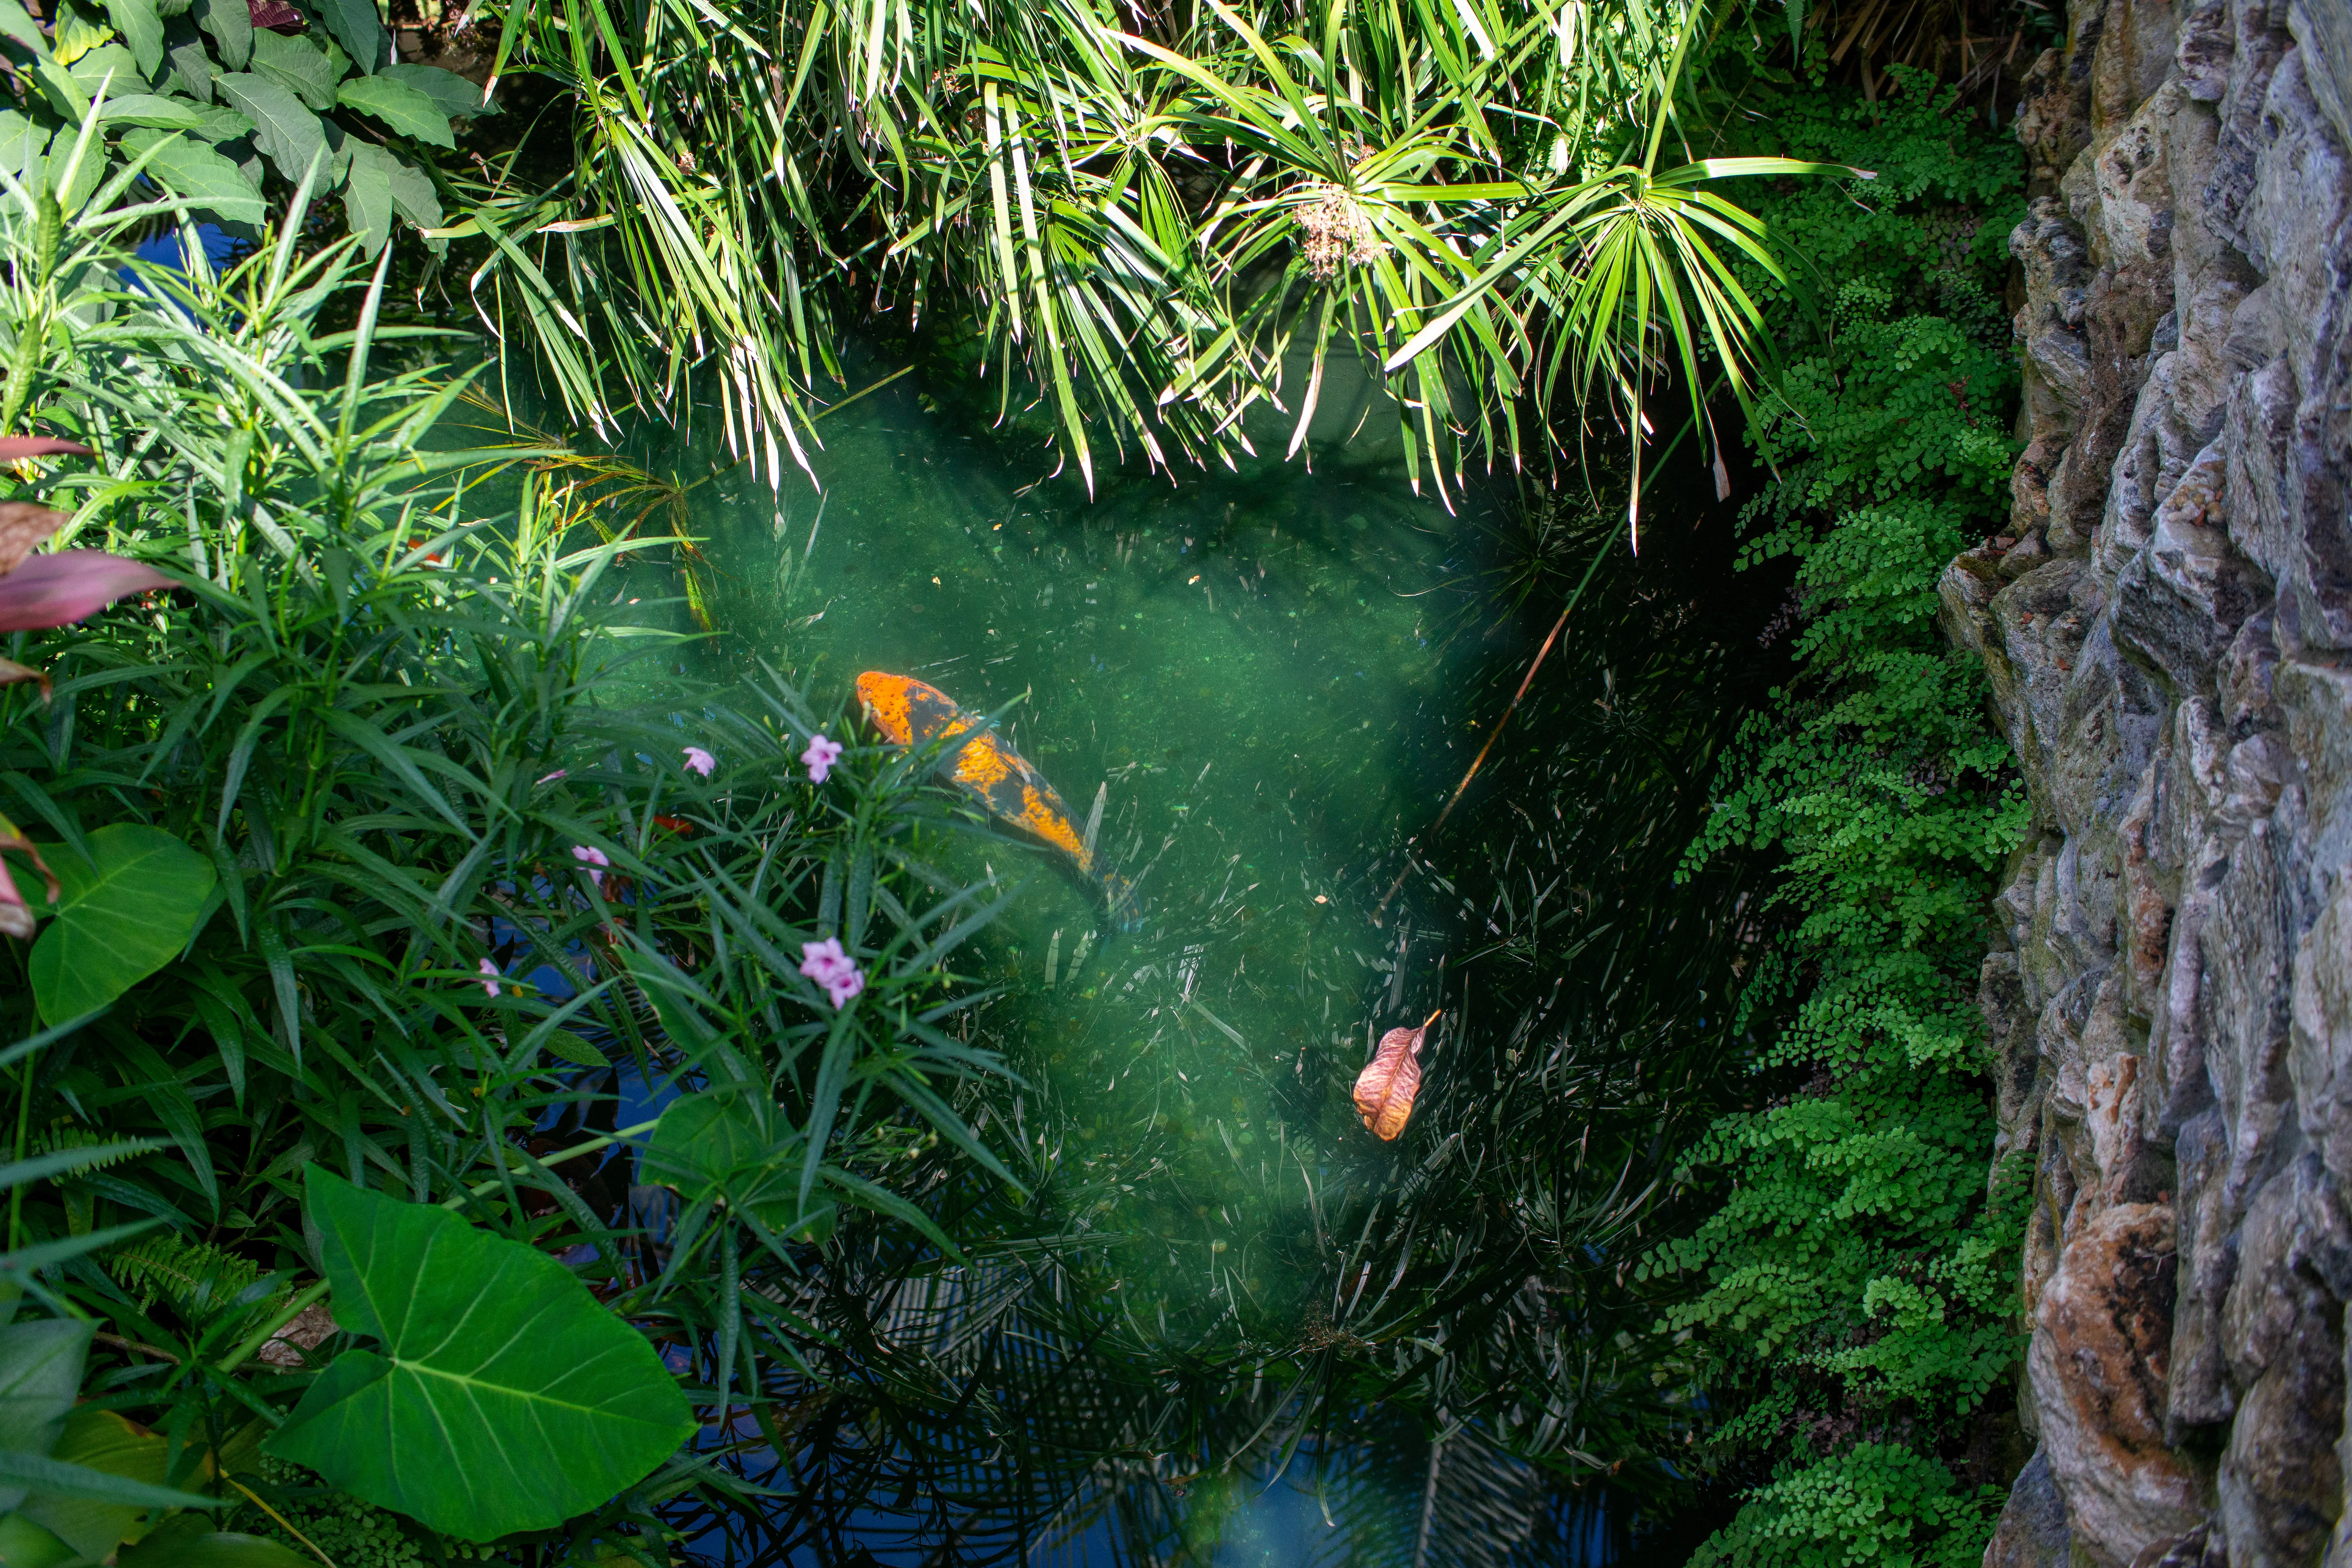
{"x": 505, "y": 1400}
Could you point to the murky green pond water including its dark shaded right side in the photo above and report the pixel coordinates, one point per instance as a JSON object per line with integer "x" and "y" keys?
{"x": 1231, "y": 1327}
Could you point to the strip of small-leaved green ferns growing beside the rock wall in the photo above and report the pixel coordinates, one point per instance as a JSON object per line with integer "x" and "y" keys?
{"x": 1857, "y": 1278}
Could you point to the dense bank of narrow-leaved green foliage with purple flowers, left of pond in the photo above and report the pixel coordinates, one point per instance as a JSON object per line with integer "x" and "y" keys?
{"x": 462, "y": 871}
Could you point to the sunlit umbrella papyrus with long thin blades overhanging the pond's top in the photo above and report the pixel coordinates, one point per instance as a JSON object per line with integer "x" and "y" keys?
{"x": 1147, "y": 222}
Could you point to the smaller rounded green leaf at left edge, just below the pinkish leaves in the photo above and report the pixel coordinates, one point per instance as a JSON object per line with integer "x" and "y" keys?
{"x": 119, "y": 920}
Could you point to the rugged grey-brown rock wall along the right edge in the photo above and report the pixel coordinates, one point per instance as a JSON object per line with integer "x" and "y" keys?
{"x": 2170, "y": 638}
